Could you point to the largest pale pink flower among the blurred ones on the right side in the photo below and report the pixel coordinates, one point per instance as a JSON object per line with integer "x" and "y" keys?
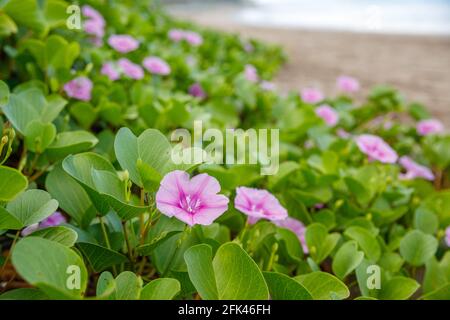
{"x": 376, "y": 148}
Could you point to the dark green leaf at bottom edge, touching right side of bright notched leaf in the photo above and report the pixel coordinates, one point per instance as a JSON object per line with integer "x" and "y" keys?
{"x": 282, "y": 287}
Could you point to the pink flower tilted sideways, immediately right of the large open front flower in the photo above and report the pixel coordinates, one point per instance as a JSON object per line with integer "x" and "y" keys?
{"x": 259, "y": 204}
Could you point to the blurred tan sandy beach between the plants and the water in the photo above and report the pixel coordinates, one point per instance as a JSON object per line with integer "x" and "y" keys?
{"x": 419, "y": 66}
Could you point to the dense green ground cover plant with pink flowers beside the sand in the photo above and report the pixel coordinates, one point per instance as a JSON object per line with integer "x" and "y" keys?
{"x": 92, "y": 205}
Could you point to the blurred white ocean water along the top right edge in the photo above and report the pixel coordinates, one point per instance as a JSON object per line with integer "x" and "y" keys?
{"x": 379, "y": 16}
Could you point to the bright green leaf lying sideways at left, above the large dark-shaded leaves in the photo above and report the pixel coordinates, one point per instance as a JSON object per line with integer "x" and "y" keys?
{"x": 71, "y": 142}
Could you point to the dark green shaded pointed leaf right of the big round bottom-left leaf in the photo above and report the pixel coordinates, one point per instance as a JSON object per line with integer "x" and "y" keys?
{"x": 100, "y": 257}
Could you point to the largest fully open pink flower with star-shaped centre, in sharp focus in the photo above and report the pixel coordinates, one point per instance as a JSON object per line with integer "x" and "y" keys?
{"x": 193, "y": 201}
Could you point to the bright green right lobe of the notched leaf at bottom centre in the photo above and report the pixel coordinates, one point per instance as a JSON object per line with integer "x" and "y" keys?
{"x": 237, "y": 275}
